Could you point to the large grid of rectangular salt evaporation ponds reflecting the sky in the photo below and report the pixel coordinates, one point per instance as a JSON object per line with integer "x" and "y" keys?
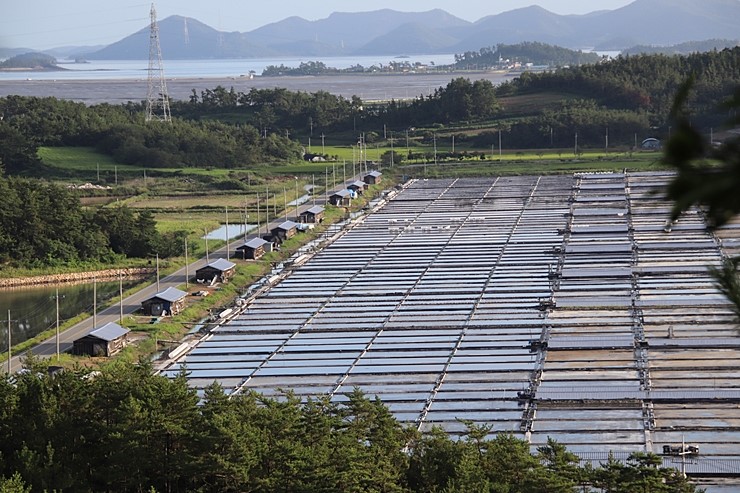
{"x": 545, "y": 306}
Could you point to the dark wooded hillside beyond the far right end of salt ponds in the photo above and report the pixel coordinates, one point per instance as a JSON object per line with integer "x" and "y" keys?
{"x": 615, "y": 101}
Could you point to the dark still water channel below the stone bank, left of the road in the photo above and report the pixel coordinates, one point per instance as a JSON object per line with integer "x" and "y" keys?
{"x": 33, "y": 308}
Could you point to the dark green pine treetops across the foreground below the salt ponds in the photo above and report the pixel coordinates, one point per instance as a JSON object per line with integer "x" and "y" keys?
{"x": 124, "y": 429}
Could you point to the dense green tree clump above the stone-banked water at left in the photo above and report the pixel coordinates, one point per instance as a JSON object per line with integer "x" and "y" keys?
{"x": 42, "y": 224}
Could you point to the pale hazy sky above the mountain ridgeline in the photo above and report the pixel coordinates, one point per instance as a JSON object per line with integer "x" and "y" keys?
{"x": 41, "y": 24}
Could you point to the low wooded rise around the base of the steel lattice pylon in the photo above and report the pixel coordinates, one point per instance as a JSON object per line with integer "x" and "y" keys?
{"x": 120, "y": 131}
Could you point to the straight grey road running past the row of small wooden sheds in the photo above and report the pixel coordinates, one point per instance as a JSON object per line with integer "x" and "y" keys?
{"x": 131, "y": 304}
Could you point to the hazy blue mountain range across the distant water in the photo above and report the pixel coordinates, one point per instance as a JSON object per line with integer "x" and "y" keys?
{"x": 388, "y": 32}
